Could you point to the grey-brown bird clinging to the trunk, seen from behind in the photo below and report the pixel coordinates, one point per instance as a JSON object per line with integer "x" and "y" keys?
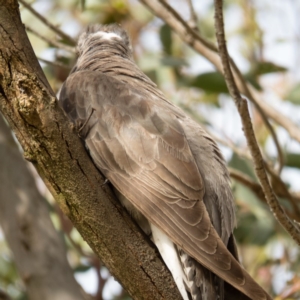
{"x": 166, "y": 170}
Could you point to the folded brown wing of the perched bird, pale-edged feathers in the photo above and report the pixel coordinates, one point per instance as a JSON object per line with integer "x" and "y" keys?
{"x": 140, "y": 145}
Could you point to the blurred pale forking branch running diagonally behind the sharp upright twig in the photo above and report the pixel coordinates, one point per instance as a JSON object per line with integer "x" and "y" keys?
{"x": 209, "y": 50}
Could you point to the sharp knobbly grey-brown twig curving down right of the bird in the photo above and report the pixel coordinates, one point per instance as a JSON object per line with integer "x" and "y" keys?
{"x": 242, "y": 107}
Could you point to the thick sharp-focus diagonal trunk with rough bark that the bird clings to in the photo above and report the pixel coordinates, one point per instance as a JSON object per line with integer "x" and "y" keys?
{"x": 29, "y": 105}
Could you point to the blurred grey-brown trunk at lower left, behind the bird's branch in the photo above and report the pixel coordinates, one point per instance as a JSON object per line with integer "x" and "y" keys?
{"x": 38, "y": 250}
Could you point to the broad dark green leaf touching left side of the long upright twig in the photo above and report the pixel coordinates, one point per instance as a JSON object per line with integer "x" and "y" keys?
{"x": 211, "y": 82}
